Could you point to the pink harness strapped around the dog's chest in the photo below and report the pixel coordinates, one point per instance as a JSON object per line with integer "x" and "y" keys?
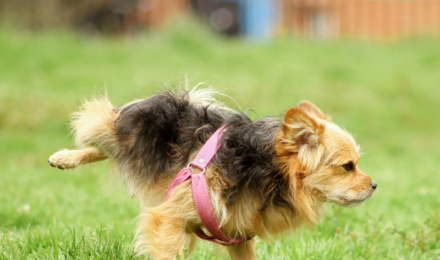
{"x": 201, "y": 192}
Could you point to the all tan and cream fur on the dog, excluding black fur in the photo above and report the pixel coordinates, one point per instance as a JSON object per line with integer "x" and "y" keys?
{"x": 311, "y": 150}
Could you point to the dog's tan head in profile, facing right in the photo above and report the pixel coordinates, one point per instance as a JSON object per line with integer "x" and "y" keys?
{"x": 321, "y": 158}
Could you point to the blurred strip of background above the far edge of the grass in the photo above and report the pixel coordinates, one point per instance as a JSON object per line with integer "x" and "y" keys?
{"x": 256, "y": 19}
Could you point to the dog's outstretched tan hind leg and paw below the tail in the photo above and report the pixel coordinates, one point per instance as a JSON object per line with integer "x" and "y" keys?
{"x": 68, "y": 159}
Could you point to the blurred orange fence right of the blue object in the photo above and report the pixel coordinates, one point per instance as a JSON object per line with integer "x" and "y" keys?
{"x": 365, "y": 19}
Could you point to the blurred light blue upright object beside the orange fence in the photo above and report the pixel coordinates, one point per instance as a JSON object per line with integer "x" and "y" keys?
{"x": 257, "y": 18}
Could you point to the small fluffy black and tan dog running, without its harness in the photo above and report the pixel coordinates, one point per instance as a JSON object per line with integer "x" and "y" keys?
{"x": 269, "y": 176}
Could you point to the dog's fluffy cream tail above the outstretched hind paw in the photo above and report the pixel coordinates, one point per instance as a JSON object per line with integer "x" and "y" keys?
{"x": 93, "y": 125}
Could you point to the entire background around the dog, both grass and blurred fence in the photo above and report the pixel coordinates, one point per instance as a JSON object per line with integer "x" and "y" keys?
{"x": 373, "y": 65}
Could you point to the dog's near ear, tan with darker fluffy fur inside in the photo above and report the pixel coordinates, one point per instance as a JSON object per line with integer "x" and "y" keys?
{"x": 300, "y": 129}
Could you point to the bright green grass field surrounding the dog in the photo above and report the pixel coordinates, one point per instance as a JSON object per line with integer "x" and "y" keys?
{"x": 386, "y": 94}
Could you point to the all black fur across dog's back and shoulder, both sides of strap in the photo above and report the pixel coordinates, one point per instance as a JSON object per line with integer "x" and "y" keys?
{"x": 162, "y": 131}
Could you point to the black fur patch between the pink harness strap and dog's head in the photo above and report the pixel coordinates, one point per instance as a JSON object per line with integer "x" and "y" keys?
{"x": 249, "y": 161}
